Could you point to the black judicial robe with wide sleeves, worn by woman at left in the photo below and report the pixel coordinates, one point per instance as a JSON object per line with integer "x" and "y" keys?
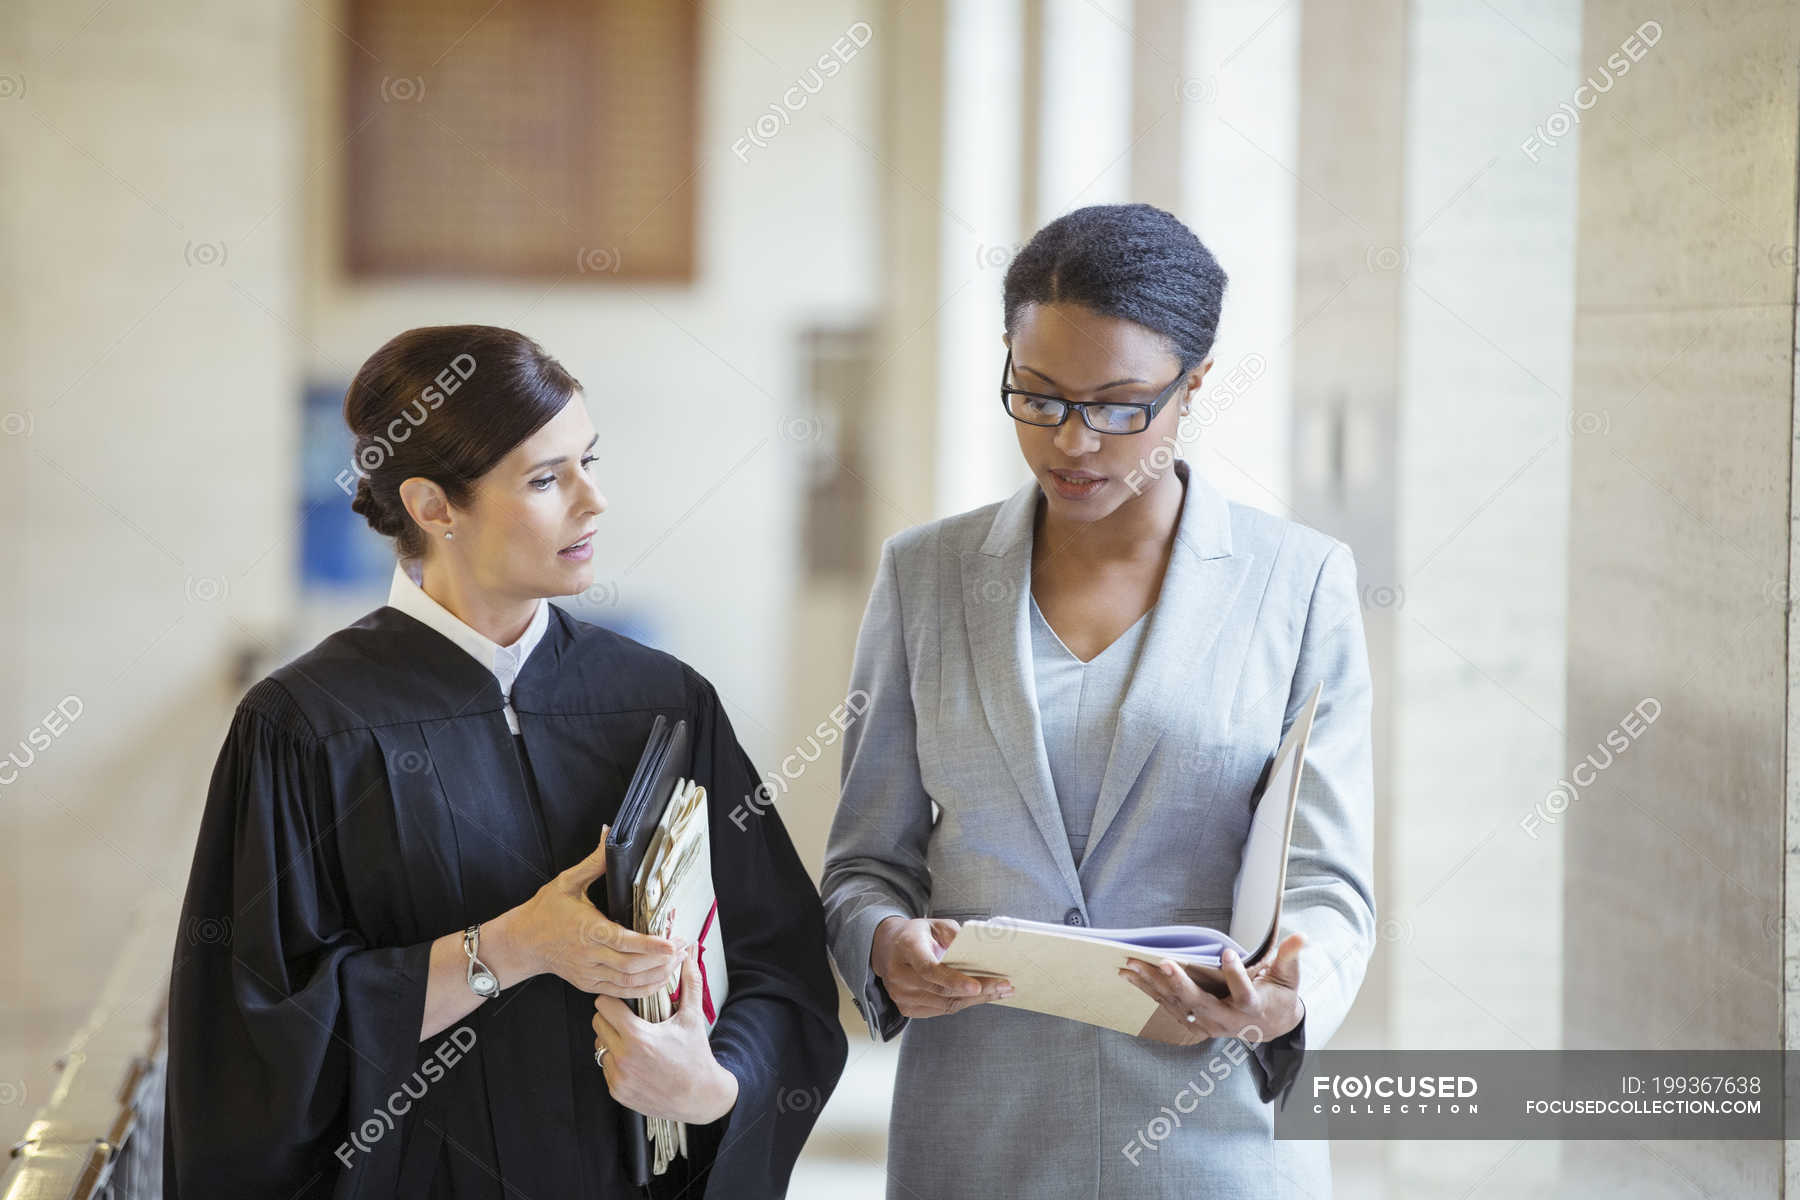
{"x": 370, "y": 800}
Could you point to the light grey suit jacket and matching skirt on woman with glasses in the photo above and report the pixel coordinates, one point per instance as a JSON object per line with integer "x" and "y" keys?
{"x": 948, "y": 810}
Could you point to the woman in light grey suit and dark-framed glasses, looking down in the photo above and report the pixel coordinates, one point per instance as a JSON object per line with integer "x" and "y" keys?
{"x": 1074, "y": 697}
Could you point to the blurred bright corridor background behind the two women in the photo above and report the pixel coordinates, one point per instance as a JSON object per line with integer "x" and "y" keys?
{"x": 1511, "y": 312}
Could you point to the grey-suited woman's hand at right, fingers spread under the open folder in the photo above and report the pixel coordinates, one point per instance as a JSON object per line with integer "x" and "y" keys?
{"x": 1257, "y": 1008}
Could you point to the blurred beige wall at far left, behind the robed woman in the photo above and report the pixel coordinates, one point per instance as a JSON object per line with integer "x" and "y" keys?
{"x": 150, "y": 161}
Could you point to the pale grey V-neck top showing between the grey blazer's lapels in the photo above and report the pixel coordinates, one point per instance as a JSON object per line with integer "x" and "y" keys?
{"x": 1079, "y": 708}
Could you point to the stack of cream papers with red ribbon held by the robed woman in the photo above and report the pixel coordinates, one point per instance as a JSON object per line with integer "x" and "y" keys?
{"x": 674, "y": 895}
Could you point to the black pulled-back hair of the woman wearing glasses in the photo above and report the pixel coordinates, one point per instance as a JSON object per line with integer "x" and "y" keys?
{"x": 1131, "y": 262}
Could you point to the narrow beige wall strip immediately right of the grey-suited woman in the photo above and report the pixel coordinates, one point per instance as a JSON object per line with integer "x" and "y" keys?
{"x": 1347, "y": 346}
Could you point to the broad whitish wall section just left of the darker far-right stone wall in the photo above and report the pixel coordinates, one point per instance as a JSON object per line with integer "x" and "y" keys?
{"x": 1473, "y": 933}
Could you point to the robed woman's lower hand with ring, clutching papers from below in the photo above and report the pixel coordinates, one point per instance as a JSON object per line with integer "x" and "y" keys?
{"x": 665, "y": 1068}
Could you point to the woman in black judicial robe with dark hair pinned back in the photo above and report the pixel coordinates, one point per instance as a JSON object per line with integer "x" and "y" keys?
{"x": 381, "y": 794}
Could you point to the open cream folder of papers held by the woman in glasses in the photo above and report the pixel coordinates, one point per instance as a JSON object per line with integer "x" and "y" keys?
{"x": 1074, "y": 972}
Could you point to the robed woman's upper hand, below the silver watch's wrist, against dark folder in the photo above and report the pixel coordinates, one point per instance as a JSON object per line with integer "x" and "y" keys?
{"x": 562, "y": 933}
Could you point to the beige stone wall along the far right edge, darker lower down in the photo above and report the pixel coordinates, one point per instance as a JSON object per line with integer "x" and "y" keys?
{"x": 1680, "y": 551}
